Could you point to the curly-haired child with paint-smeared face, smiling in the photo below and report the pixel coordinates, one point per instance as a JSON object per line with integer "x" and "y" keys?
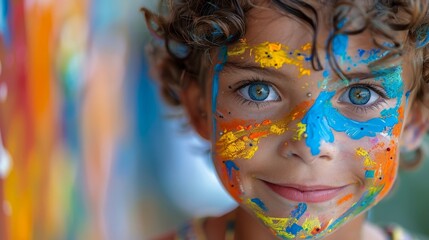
{"x": 306, "y": 104}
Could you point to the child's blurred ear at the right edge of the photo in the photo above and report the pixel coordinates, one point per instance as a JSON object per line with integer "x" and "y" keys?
{"x": 416, "y": 126}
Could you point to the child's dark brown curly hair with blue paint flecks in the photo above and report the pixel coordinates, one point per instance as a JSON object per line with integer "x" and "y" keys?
{"x": 189, "y": 25}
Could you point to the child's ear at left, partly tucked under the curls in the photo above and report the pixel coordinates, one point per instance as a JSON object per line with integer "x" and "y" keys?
{"x": 195, "y": 104}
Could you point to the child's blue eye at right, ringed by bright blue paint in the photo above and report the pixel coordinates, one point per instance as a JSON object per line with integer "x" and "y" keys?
{"x": 360, "y": 96}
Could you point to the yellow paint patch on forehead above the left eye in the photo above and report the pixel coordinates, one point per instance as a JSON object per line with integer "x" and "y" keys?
{"x": 275, "y": 55}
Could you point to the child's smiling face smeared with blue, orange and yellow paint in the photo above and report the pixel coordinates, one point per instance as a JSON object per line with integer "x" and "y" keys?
{"x": 300, "y": 149}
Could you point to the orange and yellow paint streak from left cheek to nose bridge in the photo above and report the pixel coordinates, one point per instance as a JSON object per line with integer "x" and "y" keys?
{"x": 238, "y": 141}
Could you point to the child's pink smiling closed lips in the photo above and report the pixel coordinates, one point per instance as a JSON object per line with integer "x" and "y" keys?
{"x": 309, "y": 194}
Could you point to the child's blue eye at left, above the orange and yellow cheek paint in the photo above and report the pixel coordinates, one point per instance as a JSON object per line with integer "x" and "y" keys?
{"x": 258, "y": 92}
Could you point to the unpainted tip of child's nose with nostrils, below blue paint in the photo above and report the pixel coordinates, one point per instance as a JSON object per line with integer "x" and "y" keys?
{"x": 298, "y": 149}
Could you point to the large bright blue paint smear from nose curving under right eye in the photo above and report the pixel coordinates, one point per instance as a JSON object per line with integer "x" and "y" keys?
{"x": 323, "y": 117}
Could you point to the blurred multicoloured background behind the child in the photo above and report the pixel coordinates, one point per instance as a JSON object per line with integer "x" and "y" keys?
{"x": 88, "y": 150}
